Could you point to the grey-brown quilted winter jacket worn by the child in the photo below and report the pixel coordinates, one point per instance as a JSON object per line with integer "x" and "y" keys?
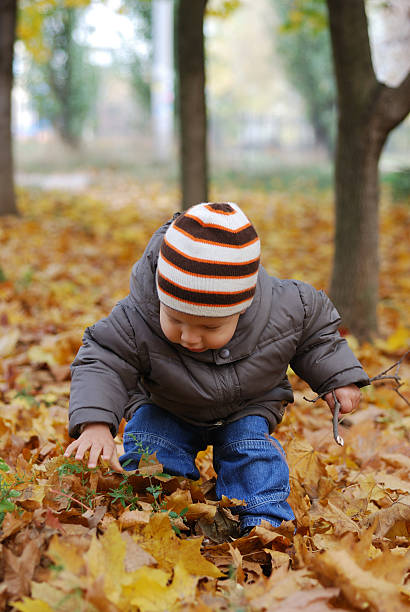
{"x": 126, "y": 360}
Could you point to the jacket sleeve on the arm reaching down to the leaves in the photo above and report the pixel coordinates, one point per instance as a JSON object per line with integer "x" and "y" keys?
{"x": 104, "y": 371}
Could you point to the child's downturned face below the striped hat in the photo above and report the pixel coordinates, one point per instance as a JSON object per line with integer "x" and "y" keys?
{"x": 197, "y": 334}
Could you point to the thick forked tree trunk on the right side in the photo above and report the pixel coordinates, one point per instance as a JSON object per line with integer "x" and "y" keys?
{"x": 367, "y": 112}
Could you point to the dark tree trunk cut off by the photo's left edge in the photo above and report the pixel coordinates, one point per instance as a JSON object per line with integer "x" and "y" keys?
{"x": 8, "y": 12}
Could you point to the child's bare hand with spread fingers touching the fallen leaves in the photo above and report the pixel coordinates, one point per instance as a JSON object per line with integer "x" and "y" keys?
{"x": 96, "y": 438}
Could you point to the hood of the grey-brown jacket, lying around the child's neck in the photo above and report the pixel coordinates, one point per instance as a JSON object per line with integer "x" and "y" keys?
{"x": 250, "y": 325}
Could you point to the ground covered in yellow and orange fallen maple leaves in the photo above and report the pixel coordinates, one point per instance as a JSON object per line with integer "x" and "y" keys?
{"x": 91, "y": 540}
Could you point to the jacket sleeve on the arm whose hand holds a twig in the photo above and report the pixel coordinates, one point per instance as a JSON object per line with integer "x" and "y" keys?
{"x": 323, "y": 358}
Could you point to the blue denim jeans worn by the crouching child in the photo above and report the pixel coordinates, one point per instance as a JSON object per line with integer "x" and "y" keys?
{"x": 250, "y": 464}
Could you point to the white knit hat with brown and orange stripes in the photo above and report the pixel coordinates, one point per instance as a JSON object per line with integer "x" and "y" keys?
{"x": 208, "y": 262}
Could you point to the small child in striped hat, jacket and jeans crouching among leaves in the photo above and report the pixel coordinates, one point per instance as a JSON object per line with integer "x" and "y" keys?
{"x": 197, "y": 354}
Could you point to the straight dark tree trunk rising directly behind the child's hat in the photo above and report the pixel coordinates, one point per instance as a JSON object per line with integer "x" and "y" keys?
{"x": 192, "y": 108}
